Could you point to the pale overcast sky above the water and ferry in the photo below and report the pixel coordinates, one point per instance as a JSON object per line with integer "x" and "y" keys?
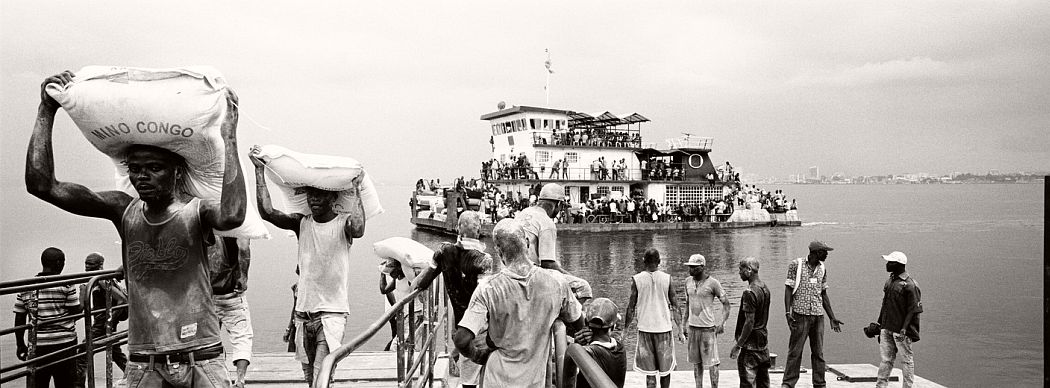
{"x": 857, "y": 88}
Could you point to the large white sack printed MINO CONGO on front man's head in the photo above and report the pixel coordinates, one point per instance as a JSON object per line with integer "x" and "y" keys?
{"x": 178, "y": 110}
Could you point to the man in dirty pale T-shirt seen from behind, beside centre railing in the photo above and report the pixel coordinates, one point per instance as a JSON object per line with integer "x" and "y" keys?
{"x": 518, "y": 307}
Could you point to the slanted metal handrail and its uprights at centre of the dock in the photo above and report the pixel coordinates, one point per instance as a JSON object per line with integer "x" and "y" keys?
{"x": 427, "y": 353}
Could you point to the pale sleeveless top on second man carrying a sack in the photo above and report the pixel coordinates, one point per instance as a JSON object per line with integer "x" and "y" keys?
{"x": 324, "y": 282}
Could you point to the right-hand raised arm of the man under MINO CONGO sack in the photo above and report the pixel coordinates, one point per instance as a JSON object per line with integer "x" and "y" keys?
{"x": 229, "y": 213}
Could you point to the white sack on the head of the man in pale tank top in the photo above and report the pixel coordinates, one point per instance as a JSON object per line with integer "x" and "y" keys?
{"x": 291, "y": 171}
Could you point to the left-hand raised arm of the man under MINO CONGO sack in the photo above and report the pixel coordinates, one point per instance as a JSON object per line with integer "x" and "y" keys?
{"x": 40, "y": 168}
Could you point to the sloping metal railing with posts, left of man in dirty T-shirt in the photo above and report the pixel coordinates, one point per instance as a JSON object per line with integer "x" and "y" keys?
{"x": 417, "y": 344}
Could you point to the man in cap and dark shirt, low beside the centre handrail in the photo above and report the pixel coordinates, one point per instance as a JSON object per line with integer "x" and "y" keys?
{"x": 602, "y": 316}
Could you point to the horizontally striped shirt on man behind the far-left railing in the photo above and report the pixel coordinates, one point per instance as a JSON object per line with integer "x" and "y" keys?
{"x": 49, "y": 304}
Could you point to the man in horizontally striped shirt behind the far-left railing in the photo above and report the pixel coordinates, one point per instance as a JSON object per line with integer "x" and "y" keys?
{"x": 46, "y": 305}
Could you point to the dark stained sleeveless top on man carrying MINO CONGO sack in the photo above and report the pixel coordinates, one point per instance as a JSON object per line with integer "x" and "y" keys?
{"x": 170, "y": 290}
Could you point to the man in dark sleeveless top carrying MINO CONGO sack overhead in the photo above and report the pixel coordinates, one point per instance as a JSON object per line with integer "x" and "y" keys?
{"x": 173, "y": 328}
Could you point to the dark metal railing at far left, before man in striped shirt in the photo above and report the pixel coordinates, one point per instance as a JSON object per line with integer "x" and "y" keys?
{"x": 34, "y": 362}
